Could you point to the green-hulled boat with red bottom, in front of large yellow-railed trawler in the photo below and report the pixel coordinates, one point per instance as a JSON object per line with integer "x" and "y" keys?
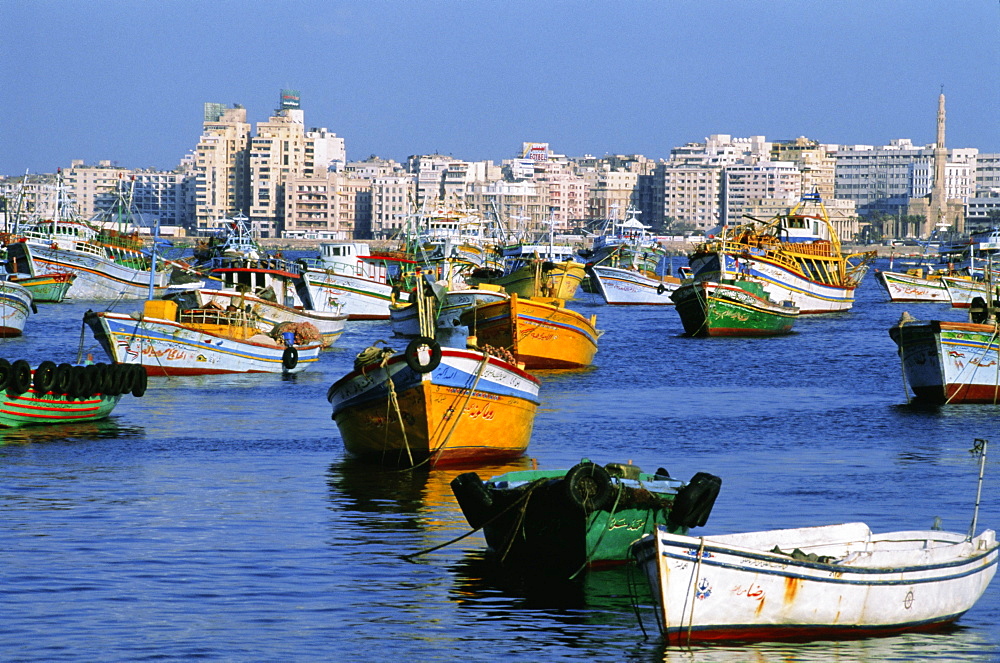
{"x": 734, "y": 307}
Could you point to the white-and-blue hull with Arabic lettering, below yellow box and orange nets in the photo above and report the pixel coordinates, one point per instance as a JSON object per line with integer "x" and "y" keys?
{"x": 165, "y": 347}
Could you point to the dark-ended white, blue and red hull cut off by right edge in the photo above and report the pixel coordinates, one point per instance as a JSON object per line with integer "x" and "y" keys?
{"x": 950, "y": 362}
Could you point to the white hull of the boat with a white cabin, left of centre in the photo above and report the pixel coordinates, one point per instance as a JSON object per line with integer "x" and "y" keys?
{"x": 360, "y": 298}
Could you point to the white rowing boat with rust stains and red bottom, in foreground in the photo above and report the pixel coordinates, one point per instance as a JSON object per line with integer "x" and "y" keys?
{"x": 738, "y": 587}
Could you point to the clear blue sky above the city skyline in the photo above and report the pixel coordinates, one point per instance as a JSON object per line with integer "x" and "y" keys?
{"x": 126, "y": 81}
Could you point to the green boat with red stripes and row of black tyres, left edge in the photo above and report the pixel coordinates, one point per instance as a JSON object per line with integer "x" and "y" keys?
{"x": 63, "y": 393}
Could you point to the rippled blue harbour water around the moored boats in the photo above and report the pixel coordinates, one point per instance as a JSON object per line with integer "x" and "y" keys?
{"x": 217, "y": 518}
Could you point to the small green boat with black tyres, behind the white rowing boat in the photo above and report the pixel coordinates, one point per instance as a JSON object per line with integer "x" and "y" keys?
{"x": 563, "y": 521}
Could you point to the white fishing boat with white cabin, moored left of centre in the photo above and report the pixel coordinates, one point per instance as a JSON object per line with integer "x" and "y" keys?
{"x": 348, "y": 277}
